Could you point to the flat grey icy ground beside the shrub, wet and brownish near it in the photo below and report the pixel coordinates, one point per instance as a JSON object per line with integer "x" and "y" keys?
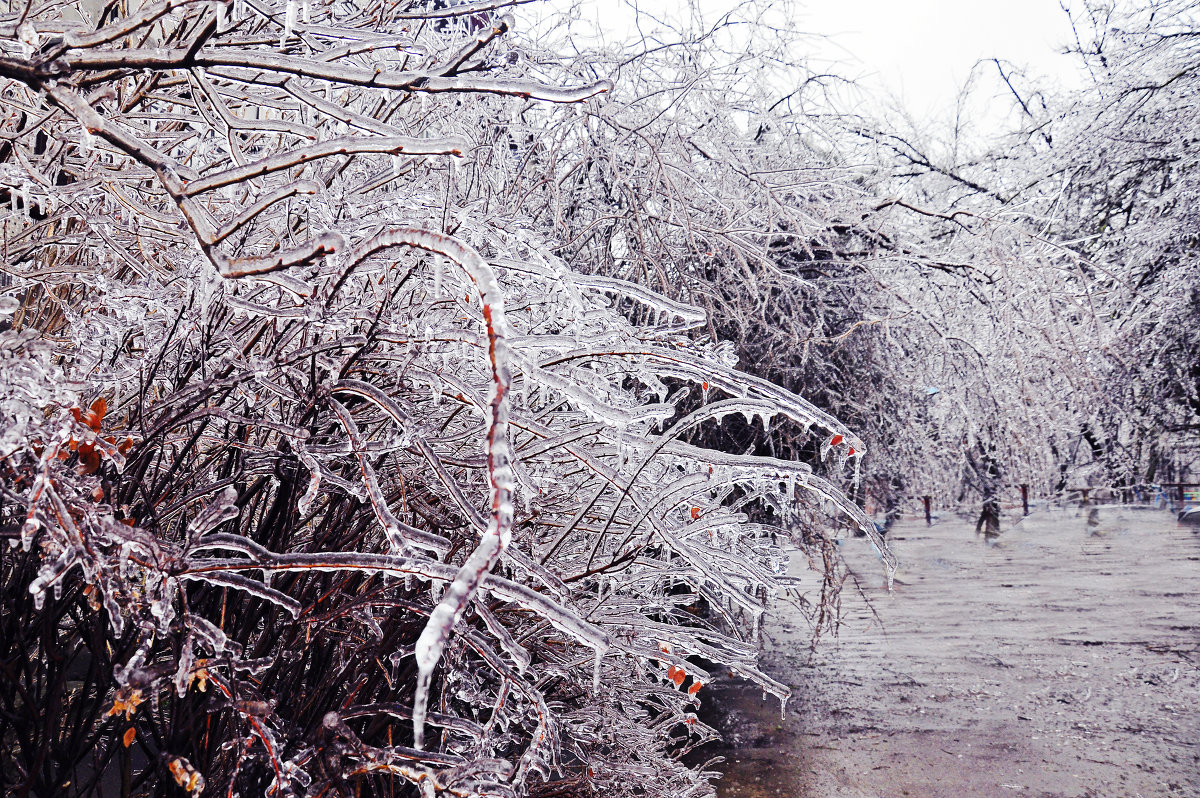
{"x": 1063, "y": 662}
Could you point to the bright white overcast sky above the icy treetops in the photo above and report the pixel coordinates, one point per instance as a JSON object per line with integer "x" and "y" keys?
{"x": 919, "y": 52}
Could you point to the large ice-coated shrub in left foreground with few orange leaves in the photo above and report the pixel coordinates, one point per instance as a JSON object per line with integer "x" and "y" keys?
{"x": 322, "y": 472}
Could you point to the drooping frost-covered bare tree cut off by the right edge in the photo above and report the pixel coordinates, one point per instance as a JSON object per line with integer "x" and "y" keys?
{"x": 1129, "y": 207}
